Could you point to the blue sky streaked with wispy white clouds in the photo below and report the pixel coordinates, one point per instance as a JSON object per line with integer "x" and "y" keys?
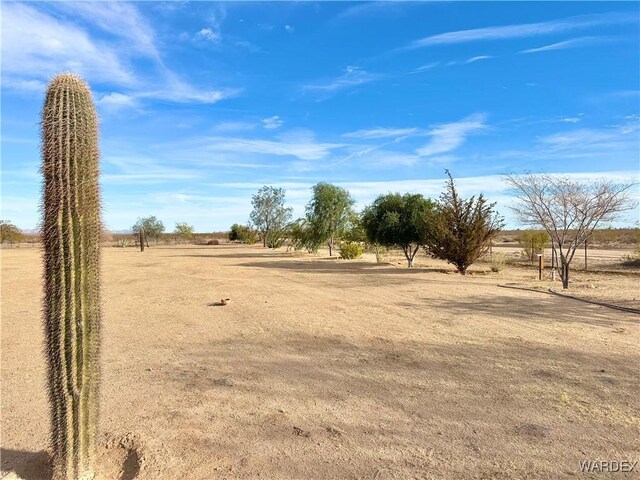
{"x": 202, "y": 103}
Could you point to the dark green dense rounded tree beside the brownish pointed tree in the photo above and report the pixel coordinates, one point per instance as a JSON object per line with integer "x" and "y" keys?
{"x": 399, "y": 220}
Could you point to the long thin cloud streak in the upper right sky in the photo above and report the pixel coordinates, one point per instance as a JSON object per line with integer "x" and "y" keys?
{"x": 522, "y": 30}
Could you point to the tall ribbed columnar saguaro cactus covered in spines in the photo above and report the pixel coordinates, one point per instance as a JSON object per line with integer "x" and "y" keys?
{"x": 71, "y": 236}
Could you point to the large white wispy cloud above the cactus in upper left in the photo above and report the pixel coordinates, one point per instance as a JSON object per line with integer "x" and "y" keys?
{"x": 100, "y": 41}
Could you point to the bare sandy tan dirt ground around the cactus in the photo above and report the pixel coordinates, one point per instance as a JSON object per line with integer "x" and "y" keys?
{"x": 327, "y": 369}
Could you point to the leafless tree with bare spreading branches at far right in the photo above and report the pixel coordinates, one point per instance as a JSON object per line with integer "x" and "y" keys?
{"x": 569, "y": 210}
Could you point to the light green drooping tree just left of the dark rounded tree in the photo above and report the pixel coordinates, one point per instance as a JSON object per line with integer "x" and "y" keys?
{"x": 329, "y": 210}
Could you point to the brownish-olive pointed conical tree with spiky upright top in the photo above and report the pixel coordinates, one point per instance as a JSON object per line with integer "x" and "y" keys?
{"x": 462, "y": 228}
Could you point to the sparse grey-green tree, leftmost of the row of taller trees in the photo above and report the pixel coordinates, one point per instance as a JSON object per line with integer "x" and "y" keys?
{"x": 269, "y": 214}
